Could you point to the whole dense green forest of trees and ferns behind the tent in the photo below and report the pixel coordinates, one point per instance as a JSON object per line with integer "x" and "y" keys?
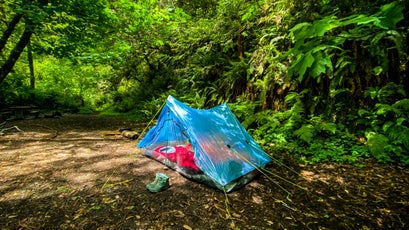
{"x": 321, "y": 80}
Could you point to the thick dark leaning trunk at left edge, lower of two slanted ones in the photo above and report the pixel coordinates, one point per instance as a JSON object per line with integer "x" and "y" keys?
{"x": 15, "y": 53}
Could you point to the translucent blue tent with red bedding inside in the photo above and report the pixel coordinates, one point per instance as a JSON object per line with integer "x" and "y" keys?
{"x": 209, "y": 146}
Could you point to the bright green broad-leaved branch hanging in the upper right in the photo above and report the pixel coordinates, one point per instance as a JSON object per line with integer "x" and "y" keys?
{"x": 316, "y": 42}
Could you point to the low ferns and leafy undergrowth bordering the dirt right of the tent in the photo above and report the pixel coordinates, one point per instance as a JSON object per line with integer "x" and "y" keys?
{"x": 379, "y": 133}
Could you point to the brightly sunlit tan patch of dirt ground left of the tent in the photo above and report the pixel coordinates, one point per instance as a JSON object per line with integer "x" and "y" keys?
{"x": 59, "y": 160}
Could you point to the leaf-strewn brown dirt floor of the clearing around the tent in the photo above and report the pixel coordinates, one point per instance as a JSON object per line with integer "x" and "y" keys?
{"x": 67, "y": 173}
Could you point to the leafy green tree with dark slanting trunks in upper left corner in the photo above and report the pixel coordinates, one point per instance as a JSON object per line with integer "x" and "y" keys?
{"x": 61, "y": 28}
